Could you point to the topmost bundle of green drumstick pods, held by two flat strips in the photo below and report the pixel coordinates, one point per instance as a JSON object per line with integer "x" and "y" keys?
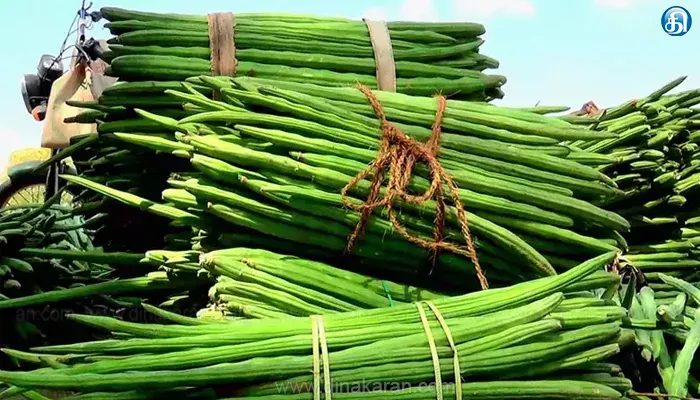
{"x": 426, "y": 57}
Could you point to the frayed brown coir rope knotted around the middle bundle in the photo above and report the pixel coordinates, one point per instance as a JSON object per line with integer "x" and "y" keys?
{"x": 398, "y": 153}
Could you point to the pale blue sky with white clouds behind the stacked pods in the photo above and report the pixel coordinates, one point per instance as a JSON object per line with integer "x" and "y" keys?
{"x": 559, "y": 52}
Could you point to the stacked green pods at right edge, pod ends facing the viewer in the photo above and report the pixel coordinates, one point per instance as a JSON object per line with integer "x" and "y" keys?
{"x": 654, "y": 161}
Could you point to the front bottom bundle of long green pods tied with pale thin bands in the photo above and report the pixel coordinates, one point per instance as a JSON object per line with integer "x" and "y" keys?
{"x": 485, "y": 338}
